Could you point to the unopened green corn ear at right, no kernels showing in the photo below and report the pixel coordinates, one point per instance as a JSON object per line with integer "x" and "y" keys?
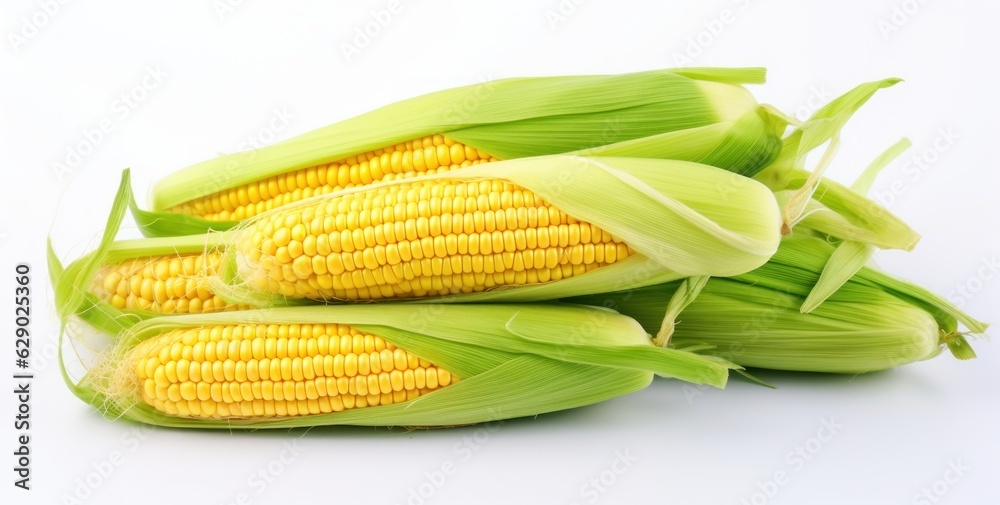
{"x": 873, "y": 322}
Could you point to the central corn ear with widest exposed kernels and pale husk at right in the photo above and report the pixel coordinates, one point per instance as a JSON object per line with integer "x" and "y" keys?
{"x": 670, "y": 219}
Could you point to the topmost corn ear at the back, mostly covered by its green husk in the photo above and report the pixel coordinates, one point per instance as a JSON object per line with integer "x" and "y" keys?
{"x": 695, "y": 114}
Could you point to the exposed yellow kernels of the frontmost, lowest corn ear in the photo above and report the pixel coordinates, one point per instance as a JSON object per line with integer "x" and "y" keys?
{"x": 265, "y": 371}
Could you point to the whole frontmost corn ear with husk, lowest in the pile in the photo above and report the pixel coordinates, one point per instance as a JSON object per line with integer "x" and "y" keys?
{"x": 377, "y": 365}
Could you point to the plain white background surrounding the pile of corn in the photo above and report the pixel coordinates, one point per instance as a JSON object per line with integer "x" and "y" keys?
{"x": 227, "y": 72}
